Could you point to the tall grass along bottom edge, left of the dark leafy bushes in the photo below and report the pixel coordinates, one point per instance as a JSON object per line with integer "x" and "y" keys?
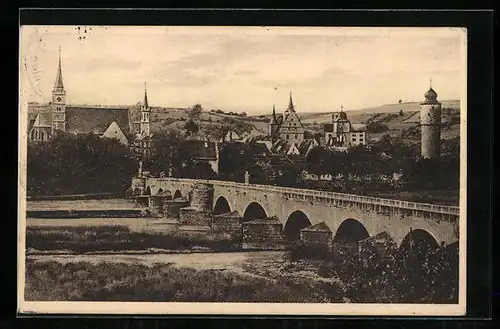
{"x": 82, "y": 281}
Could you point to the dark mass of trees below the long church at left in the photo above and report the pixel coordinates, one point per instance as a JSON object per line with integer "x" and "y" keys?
{"x": 70, "y": 164}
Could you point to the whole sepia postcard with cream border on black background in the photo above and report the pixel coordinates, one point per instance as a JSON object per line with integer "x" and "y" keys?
{"x": 242, "y": 170}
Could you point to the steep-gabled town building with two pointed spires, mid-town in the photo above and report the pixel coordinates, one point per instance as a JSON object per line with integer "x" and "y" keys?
{"x": 287, "y": 126}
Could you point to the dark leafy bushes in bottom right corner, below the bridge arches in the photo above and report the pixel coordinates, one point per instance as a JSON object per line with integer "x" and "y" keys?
{"x": 400, "y": 277}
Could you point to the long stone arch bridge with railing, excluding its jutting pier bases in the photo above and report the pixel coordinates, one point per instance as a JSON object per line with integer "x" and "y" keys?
{"x": 349, "y": 216}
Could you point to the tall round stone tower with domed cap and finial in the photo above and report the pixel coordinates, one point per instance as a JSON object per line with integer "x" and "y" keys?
{"x": 430, "y": 123}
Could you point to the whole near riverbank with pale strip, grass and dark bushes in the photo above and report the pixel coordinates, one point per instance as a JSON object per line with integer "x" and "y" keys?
{"x": 265, "y": 276}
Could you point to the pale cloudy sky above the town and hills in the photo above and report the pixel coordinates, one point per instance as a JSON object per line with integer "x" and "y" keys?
{"x": 243, "y": 68}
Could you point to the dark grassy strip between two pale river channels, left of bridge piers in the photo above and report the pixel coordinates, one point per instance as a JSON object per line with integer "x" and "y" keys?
{"x": 119, "y": 238}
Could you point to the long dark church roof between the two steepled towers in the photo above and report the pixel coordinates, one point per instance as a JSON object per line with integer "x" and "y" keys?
{"x": 82, "y": 120}
